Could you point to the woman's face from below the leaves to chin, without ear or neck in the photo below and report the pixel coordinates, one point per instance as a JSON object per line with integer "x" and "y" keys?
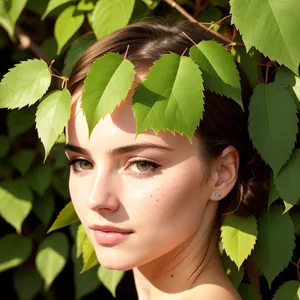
{"x": 137, "y": 198}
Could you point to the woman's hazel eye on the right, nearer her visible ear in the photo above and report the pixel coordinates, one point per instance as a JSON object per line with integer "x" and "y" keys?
{"x": 141, "y": 167}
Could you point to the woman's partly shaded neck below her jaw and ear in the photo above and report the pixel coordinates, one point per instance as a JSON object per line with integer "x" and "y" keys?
{"x": 186, "y": 267}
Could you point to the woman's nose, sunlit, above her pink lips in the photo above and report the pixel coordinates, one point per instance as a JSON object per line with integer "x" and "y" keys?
{"x": 103, "y": 195}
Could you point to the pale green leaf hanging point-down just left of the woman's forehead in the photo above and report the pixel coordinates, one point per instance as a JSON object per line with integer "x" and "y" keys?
{"x": 52, "y": 116}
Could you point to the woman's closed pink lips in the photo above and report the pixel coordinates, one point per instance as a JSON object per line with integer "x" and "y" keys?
{"x": 107, "y": 235}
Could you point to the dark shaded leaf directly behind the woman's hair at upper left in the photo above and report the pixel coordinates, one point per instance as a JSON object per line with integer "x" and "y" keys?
{"x": 75, "y": 51}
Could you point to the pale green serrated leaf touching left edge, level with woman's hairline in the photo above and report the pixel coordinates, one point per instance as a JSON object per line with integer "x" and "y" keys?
{"x": 24, "y": 84}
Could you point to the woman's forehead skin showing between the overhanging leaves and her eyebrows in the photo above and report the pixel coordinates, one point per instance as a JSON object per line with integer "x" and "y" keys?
{"x": 118, "y": 129}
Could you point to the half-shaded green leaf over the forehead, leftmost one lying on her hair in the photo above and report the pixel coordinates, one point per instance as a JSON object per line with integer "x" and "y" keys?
{"x": 101, "y": 94}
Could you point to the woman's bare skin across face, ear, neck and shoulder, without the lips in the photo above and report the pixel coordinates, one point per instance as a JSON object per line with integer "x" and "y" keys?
{"x": 169, "y": 203}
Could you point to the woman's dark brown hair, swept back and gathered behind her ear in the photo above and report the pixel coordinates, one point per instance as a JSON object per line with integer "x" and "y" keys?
{"x": 223, "y": 124}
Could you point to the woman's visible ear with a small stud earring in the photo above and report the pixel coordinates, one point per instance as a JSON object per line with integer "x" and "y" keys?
{"x": 225, "y": 173}
